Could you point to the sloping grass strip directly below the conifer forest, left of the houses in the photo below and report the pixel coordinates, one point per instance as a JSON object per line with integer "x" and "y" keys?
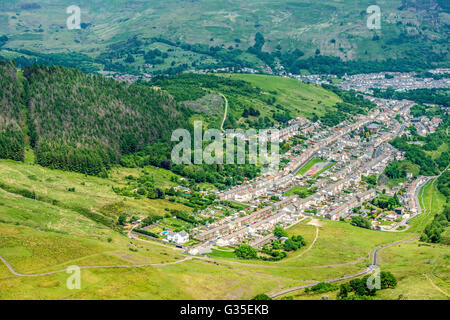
{"x": 91, "y": 194}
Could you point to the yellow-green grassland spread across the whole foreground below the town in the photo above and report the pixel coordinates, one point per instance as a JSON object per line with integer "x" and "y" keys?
{"x": 36, "y": 236}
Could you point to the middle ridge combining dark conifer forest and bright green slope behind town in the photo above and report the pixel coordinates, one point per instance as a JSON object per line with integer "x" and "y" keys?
{"x": 87, "y": 123}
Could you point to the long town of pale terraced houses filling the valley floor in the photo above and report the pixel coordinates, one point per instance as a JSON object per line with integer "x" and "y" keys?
{"x": 326, "y": 175}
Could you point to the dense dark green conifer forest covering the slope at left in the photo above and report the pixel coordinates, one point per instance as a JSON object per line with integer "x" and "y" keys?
{"x": 82, "y": 122}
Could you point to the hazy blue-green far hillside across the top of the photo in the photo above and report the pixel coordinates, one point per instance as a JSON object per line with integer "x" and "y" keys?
{"x": 148, "y": 37}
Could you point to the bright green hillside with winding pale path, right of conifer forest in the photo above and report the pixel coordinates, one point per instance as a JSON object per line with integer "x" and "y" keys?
{"x": 273, "y": 99}
